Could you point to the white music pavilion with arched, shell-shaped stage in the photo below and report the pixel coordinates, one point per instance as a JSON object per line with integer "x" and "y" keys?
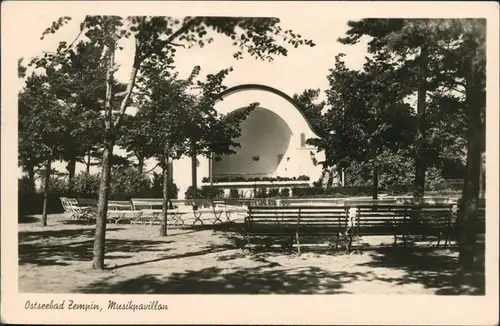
{"x": 273, "y": 144}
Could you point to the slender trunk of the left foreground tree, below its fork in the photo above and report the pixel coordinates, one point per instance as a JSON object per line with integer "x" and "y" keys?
{"x": 102, "y": 206}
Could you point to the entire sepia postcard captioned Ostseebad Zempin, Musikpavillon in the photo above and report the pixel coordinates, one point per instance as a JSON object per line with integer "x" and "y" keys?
{"x": 210, "y": 152}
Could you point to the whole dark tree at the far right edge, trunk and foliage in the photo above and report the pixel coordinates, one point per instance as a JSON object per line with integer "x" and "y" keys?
{"x": 472, "y": 77}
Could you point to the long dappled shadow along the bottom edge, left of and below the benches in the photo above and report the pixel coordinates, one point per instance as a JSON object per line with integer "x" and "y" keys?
{"x": 212, "y": 280}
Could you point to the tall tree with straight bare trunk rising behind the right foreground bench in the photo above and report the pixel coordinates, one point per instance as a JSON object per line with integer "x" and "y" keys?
{"x": 415, "y": 43}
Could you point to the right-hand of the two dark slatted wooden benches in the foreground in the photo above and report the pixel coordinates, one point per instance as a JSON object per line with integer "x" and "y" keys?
{"x": 402, "y": 220}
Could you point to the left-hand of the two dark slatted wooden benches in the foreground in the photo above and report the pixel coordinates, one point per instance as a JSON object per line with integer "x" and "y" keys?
{"x": 294, "y": 222}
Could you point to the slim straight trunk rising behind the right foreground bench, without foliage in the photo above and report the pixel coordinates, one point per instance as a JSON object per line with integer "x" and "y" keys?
{"x": 420, "y": 159}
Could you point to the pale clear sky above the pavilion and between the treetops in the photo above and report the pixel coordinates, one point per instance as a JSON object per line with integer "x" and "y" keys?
{"x": 304, "y": 67}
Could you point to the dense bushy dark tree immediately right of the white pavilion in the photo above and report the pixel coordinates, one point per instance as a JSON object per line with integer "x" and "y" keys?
{"x": 370, "y": 119}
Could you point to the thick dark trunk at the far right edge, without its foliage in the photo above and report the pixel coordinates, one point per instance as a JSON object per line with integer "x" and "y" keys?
{"x": 467, "y": 214}
